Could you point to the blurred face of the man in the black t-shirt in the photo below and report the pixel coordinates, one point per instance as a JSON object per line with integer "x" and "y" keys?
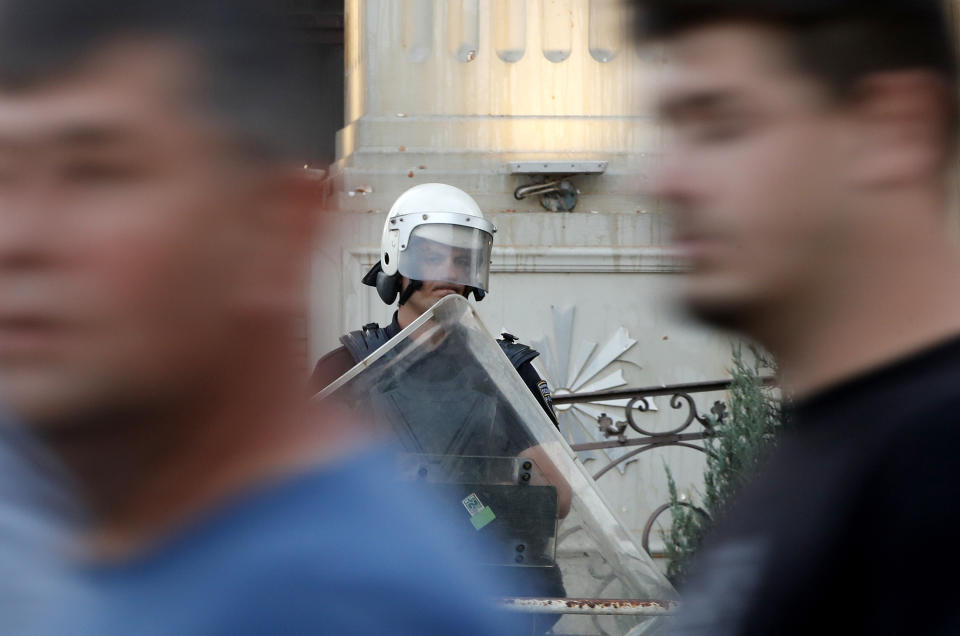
{"x": 754, "y": 176}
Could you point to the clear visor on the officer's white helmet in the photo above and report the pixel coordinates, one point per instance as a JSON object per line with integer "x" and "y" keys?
{"x": 447, "y": 253}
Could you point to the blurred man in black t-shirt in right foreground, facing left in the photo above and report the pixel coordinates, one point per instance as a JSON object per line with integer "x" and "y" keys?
{"x": 812, "y": 145}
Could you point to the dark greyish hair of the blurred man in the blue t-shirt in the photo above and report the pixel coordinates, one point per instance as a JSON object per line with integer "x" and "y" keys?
{"x": 256, "y": 80}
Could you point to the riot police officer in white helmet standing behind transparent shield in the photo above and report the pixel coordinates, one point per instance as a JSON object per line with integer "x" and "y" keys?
{"x": 435, "y": 243}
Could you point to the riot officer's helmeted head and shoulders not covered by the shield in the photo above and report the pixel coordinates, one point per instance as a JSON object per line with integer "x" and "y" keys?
{"x": 435, "y": 242}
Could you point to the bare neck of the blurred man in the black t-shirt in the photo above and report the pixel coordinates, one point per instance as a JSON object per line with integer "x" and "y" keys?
{"x": 892, "y": 302}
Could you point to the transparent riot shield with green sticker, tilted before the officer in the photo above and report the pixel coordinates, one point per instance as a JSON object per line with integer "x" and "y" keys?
{"x": 472, "y": 434}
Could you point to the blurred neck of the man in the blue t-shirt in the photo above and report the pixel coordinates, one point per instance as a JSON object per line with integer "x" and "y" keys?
{"x": 143, "y": 478}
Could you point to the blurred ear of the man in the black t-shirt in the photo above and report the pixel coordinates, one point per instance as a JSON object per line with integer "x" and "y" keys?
{"x": 901, "y": 128}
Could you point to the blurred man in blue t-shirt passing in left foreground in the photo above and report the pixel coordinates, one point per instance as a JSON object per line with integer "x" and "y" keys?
{"x": 154, "y": 239}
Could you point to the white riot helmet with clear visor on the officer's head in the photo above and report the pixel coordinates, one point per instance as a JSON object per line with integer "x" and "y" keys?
{"x": 433, "y": 232}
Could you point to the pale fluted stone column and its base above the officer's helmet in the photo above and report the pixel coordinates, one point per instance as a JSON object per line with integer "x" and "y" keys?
{"x": 454, "y": 90}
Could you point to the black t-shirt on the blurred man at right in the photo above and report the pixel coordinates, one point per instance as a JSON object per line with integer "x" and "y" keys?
{"x": 851, "y": 527}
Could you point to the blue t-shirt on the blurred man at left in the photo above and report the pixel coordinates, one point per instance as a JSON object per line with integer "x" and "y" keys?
{"x": 343, "y": 549}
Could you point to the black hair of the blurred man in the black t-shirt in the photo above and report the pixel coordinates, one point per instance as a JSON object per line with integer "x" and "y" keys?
{"x": 836, "y": 41}
